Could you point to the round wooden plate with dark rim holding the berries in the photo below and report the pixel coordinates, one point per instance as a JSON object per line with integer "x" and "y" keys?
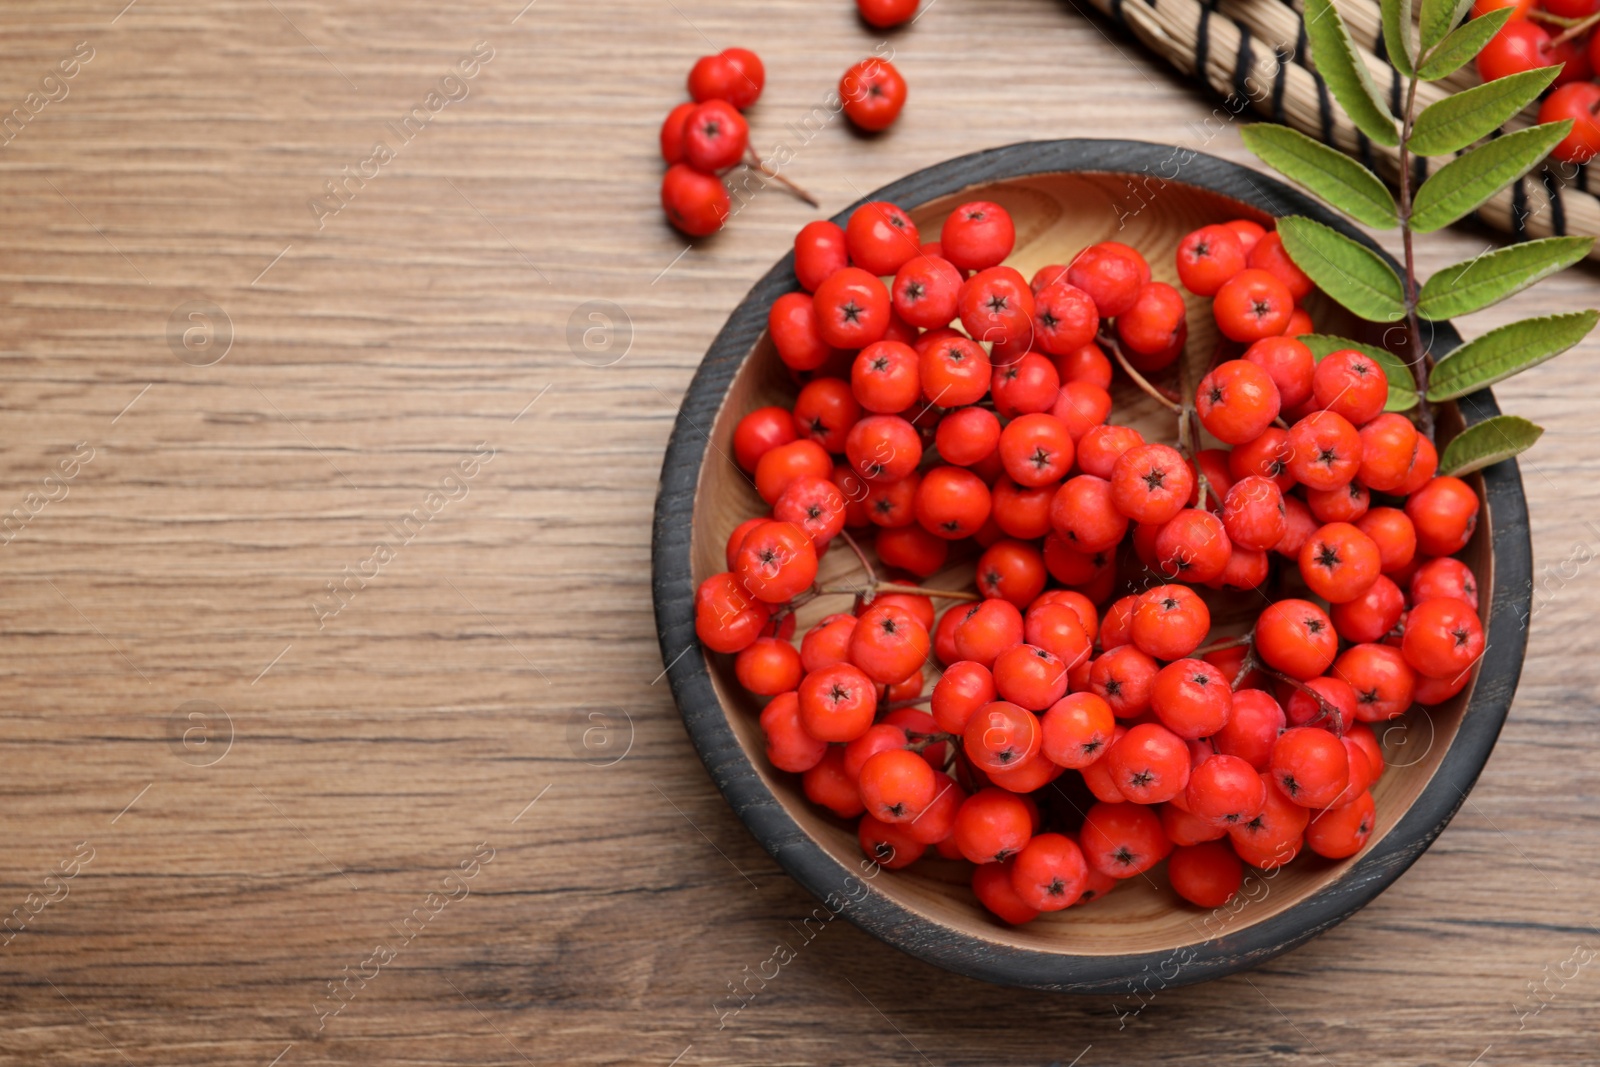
{"x": 1142, "y": 938}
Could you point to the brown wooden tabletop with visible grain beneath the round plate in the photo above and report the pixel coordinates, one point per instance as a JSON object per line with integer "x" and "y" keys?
{"x": 334, "y": 721}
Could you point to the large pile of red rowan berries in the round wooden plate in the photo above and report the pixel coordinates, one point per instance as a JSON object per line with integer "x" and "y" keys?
{"x": 1068, "y": 725}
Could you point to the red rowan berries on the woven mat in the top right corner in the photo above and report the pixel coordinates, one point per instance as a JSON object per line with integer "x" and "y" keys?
{"x": 1545, "y": 34}
